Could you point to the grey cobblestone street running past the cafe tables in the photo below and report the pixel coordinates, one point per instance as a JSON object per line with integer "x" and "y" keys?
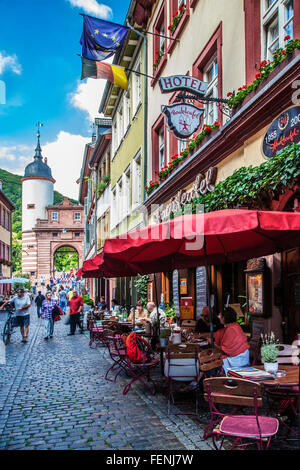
{"x": 54, "y": 396}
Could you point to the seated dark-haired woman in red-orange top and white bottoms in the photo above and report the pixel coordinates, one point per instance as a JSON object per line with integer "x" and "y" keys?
{"x": 232, "y": 341}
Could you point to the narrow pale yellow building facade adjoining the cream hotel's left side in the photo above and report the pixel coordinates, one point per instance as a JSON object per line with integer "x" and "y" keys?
{"x": 128, "y": 112}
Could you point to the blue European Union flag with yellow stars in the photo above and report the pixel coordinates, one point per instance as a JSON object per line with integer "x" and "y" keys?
{"x": 101, "y": 39}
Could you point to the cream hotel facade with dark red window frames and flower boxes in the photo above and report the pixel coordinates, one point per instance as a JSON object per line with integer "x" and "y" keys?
{"x": 227, "y": 45}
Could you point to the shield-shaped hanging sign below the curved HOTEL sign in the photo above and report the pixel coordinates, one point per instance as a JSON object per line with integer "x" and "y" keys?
{"x": 182, "y": 119}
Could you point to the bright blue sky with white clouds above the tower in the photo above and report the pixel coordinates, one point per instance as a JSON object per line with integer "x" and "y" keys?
{"x": 39, "y": 43}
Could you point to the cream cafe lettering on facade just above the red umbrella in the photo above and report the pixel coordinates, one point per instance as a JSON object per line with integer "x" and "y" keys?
{"x": 202, "y": 185}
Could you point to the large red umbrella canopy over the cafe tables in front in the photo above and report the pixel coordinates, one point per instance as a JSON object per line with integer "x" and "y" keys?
{"x": 231, "y": 235}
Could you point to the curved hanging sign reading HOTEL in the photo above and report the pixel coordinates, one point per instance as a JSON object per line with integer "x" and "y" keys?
{"x": 184, "y": 83}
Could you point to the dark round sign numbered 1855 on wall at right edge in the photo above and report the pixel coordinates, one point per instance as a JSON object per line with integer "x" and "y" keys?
{"x": 284, "y": 131}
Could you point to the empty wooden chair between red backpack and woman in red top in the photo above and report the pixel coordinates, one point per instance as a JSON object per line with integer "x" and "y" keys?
{"x": 181, "y": 365}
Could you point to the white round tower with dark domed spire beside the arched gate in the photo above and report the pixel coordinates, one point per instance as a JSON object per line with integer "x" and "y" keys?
{"x": 37, "y": 194}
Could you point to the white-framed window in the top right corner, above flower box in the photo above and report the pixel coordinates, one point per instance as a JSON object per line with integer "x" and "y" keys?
{"x": 277, "y": 22}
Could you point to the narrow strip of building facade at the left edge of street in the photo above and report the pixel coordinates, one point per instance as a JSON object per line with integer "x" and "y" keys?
{"x": 6, "y": 210}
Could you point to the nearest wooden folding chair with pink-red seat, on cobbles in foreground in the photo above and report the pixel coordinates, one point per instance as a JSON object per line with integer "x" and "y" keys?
{"x": 244, "y": 429}
